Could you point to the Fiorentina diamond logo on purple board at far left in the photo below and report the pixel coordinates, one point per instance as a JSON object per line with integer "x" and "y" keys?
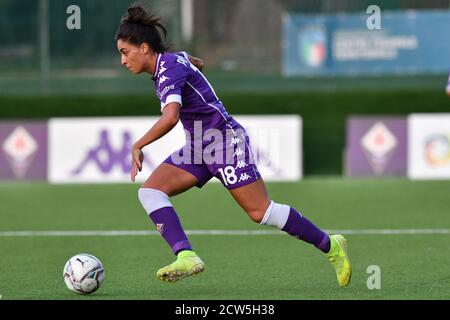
{"x": 20, "y": 148}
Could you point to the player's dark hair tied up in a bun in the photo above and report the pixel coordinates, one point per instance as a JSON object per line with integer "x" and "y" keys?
{"x": 137, "y": 27}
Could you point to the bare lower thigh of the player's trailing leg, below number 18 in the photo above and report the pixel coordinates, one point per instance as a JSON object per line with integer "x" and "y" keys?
{"x": 253, "y": 198}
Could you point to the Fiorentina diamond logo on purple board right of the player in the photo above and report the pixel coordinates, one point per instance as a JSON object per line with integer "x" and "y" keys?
{"x": 379, "y": 145}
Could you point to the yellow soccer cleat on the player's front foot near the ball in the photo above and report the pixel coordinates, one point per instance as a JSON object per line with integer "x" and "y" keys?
{"x": 187, "y": 264}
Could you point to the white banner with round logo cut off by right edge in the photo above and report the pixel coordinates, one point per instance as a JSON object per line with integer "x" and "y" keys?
{"x": 429, "y": 146}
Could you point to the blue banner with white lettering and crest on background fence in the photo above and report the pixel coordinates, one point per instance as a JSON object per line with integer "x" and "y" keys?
{"x": 409, "y": 42}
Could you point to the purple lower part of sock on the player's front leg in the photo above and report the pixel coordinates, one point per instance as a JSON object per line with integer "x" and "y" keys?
{"x": 168, "y": 224}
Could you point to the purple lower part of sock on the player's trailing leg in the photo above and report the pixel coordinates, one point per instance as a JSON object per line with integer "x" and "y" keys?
{"x": 301, "y": 228}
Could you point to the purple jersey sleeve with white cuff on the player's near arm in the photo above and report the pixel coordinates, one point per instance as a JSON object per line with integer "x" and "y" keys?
{"x": 171, "y": 80}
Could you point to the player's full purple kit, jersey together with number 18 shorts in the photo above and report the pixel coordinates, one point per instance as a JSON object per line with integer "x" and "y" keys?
{"x": 228, "y": 157}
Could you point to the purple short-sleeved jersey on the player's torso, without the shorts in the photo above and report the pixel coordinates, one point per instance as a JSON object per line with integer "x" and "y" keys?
{"x": 177, "y": 80}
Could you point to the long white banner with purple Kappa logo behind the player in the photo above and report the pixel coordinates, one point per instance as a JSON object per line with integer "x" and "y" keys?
{"x": 97, "y": 150}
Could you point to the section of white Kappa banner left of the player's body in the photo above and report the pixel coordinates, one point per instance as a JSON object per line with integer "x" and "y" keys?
{"x": 97, "y": 150}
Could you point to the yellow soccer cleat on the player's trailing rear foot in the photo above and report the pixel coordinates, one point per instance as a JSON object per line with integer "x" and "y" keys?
{"x": 338, "y": 257}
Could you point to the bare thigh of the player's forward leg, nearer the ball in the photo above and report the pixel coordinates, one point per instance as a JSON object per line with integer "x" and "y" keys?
{"x": 170, "y": 179}
